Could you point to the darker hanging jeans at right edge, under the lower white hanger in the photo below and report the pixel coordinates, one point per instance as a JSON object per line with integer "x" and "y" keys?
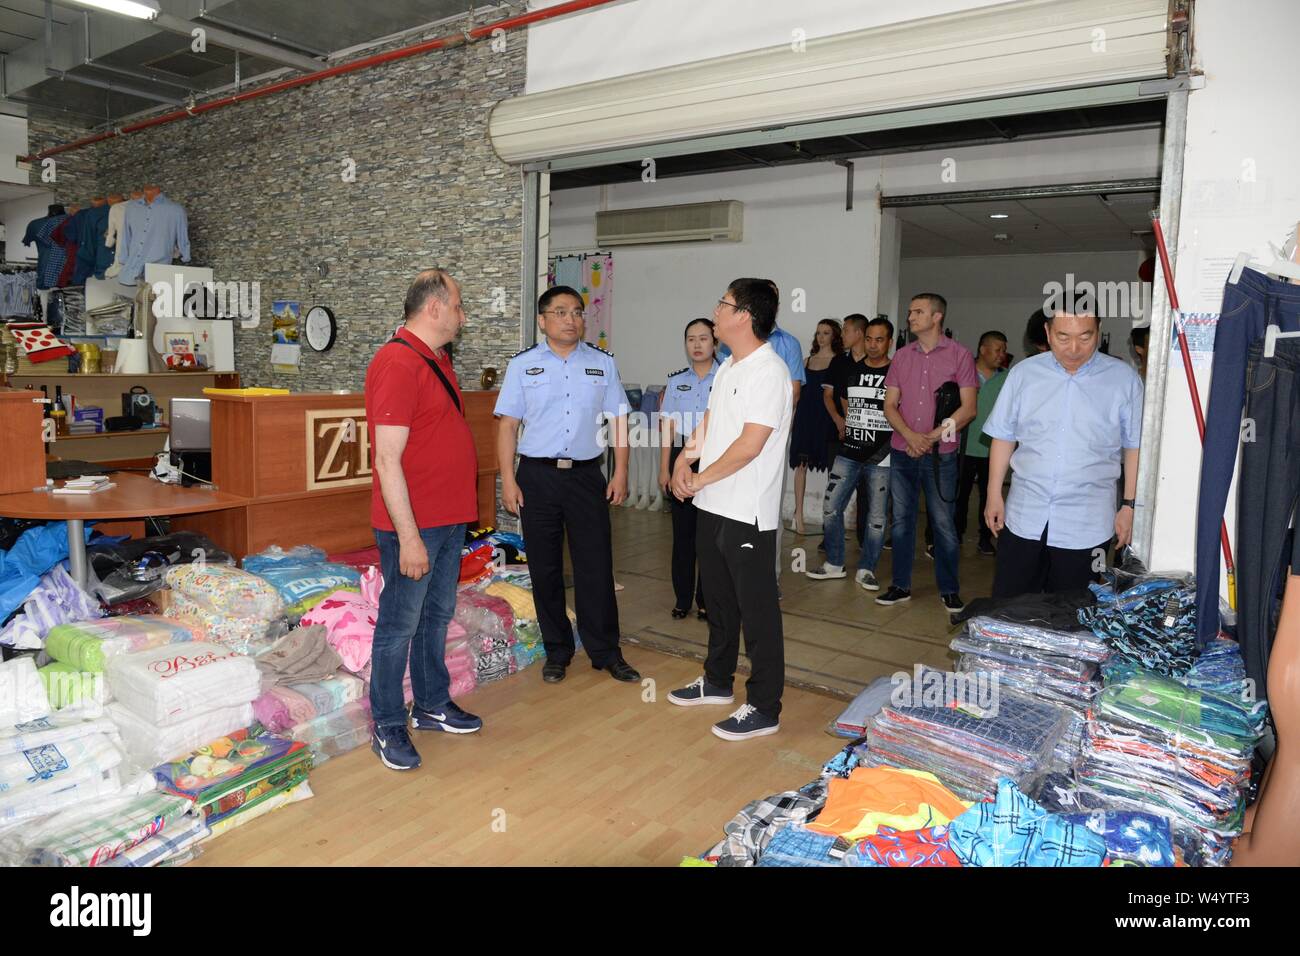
{"x": 1267, "y": 498}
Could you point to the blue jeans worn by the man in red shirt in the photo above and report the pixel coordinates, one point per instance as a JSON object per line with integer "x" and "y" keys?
{"x": 413, "y": 624}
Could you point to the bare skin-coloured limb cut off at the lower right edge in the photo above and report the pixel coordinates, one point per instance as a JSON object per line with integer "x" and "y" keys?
{"x": 1273, "y": 838}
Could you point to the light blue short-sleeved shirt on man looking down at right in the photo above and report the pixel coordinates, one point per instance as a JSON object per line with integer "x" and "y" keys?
{"x": 1073, "y": 430}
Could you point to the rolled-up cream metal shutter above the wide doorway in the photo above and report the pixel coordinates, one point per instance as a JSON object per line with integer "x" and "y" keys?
{"x": 1020, "y": 47}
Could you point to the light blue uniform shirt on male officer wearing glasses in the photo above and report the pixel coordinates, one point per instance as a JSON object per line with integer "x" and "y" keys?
{"x": 562, "y": 401}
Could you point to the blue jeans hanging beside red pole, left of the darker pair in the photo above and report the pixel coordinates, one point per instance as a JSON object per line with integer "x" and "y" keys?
{"x": 1250, "y": 306}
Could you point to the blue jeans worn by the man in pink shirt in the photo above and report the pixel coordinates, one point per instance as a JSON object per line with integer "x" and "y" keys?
{"x": 908, "y": 477}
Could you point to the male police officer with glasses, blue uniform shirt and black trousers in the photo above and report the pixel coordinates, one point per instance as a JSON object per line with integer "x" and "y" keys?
{"x": 561, "y": 391}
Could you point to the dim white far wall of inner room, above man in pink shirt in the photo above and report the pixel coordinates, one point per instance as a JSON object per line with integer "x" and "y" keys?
{"x": 1002, "y": 292}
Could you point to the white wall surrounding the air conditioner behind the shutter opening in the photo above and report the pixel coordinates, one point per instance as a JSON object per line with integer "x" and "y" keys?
{"x": 798, "y": 233}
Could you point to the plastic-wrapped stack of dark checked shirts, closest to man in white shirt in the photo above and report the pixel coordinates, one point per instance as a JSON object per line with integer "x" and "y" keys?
{"x": 970, "y": 754}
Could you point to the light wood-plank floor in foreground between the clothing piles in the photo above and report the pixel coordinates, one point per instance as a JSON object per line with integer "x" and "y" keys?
{"x": 590, "y": 772}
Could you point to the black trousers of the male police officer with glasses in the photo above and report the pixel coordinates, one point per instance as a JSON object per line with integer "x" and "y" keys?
{"x": 560, "y": 501}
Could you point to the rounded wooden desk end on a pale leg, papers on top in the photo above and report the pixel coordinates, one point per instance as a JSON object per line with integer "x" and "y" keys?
{"x": 136, "y": 496}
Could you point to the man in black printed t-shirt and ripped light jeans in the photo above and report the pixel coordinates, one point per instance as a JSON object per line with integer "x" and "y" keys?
{"x": 855, "y": 395}
